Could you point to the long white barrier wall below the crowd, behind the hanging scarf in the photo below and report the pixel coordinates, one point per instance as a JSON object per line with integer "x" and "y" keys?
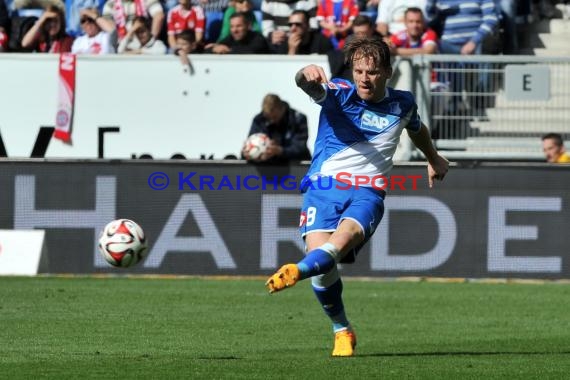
{"x": 160, "y": 109}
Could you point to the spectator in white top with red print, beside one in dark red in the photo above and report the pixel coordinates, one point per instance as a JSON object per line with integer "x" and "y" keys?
{"x": 99, "y": 36}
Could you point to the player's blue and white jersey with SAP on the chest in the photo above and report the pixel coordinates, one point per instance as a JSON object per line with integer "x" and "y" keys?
{"x": 360, "y": 137}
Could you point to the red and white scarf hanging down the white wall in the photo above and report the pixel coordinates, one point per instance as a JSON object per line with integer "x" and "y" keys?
{"x": 66, "y": 96}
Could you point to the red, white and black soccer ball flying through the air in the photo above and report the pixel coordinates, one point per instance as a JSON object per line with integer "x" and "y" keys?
{"x": 122, "y": 243}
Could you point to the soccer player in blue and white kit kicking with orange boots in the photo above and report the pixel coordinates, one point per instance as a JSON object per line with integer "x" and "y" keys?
{"x": 359, "y": 128}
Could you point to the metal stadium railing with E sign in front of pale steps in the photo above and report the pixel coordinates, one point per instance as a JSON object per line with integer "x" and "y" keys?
{"x": 471, "y": 113}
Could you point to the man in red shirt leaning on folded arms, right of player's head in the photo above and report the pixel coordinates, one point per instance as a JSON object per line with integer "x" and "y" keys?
{"x": 416, "y": 38}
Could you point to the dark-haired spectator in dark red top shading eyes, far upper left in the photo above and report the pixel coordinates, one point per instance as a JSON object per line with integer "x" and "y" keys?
{"x": 48, "y": 33}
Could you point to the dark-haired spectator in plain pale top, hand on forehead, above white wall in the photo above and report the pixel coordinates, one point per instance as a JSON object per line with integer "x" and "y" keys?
{"x": 144, "y": 43}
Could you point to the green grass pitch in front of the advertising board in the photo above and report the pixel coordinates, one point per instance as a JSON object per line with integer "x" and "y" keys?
{"x": 141, "y": 328}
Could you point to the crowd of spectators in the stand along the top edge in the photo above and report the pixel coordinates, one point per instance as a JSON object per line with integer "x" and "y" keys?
{"x": 262, "y": 26}
